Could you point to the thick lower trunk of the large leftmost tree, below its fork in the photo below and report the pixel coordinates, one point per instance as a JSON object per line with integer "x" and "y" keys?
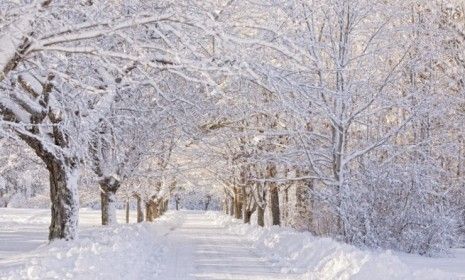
{"x": 64, "y": 198}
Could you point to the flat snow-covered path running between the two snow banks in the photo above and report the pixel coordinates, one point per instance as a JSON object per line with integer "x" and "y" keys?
{"x": 200, "y": 249}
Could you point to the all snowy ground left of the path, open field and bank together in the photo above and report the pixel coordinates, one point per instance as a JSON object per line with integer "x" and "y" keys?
{"x": 119, "y": 252}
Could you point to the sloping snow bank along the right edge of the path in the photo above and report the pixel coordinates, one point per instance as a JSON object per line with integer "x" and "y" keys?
{"x": 323, "y": 258}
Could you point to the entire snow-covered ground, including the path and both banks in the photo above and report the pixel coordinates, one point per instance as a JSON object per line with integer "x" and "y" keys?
{"x": 195, "y": 245}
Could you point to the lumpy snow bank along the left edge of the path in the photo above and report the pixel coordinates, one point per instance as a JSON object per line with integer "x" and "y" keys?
{"x": 119, "y": 252}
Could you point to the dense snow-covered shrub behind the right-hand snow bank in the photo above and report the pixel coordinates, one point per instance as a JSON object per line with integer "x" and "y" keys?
{"x": 402, "y": 208}
